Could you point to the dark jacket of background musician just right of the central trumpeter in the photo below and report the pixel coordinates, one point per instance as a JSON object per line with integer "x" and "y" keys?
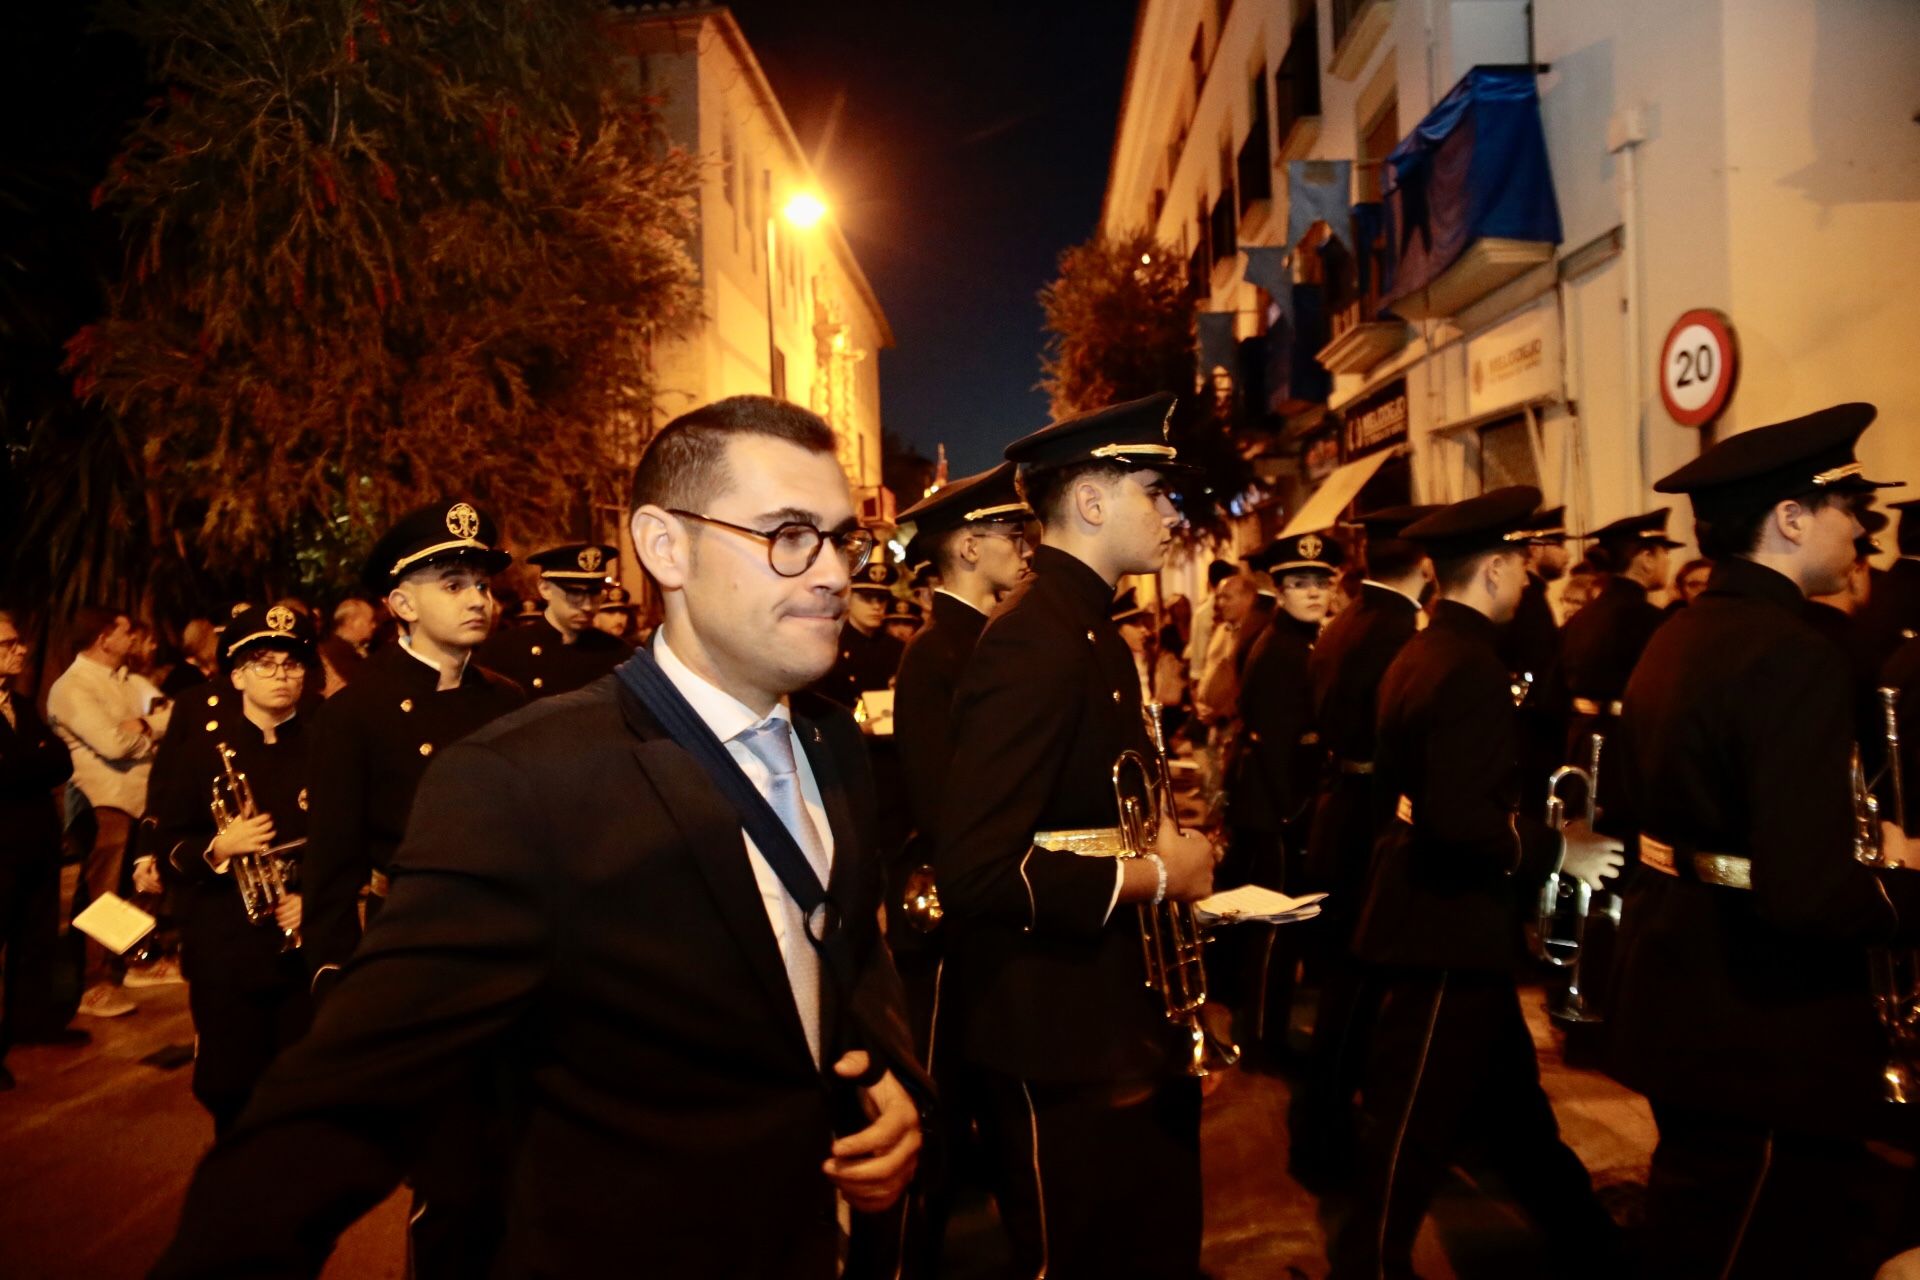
{"x": 1278, "y": 757}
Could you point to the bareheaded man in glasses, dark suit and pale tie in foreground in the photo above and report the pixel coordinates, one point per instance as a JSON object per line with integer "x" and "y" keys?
{"x": 675, "y": 1041}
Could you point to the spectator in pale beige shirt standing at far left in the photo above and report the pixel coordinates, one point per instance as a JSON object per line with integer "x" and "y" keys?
{"x": 99, "y": 715}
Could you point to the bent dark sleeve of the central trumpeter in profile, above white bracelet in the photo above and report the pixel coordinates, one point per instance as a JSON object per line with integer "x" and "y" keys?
{"x": 1017, "y": 715}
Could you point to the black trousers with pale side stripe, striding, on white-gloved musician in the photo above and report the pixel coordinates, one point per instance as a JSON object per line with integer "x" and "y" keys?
{"x": 1451, "y": 1058}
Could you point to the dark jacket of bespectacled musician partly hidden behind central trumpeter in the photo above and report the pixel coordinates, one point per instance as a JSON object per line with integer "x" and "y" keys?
{"x": 923, "y": 721}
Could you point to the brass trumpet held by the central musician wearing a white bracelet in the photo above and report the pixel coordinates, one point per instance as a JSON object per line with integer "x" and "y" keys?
{"x": 1172, "y": 939}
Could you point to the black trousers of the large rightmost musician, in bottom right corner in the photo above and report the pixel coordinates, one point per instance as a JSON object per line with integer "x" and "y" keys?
{"x": 1739, "y": 1198}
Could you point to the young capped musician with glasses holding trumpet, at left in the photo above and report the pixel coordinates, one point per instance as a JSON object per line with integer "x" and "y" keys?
{"x": 247, "y": 985}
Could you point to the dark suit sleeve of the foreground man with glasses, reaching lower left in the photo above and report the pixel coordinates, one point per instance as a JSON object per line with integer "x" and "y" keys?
{"x": 452, "y": 964}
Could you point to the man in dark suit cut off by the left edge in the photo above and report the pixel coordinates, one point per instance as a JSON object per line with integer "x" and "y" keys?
{"x": 34, "y": 761}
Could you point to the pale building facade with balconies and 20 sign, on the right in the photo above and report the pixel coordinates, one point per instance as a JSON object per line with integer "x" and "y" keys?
{"x": 1537, "y": 199}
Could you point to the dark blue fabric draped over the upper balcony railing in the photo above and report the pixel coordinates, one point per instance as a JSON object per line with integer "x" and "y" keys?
{"x": 1474, "y": 170}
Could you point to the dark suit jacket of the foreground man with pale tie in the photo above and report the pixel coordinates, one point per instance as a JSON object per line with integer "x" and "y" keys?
{"x": 675, "y": 1116}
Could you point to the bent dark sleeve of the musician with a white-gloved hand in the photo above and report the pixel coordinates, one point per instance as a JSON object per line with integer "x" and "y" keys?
{"x": 1466, "y": 813}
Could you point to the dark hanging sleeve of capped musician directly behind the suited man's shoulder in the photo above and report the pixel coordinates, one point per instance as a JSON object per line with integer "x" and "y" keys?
{"x": 337, "y": 863}
